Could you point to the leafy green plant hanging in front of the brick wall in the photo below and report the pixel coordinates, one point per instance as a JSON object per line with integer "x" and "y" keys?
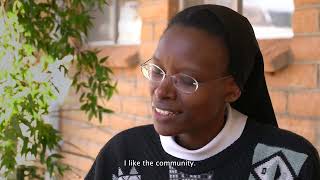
{"x": 36, "y": 39}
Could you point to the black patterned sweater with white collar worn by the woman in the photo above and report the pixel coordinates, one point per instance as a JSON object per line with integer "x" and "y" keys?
{"x": 255, "y": 151}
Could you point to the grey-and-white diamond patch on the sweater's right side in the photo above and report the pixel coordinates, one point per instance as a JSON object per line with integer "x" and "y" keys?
{"x": 270, "y": 162}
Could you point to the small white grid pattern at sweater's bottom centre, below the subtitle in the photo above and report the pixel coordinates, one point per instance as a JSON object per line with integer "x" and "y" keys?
{"x": 174, "y": 174}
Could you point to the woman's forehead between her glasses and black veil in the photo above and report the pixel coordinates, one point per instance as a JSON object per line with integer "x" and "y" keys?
{"x": 192, "y": 49}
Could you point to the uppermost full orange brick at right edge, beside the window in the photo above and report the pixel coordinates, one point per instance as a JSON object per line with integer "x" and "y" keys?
{"x": 306, "y": 20}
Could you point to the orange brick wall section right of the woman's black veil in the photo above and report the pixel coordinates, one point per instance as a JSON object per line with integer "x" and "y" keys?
{"x": 295, "y": 89}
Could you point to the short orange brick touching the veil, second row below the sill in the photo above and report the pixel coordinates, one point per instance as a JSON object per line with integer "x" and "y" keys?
{"x": 279, "y": 101}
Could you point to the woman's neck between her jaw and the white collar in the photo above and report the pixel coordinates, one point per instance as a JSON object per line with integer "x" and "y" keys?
{"x": 193, "y": 141}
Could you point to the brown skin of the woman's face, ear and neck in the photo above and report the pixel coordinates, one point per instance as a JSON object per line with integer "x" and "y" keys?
{"x": 201, "y": 114}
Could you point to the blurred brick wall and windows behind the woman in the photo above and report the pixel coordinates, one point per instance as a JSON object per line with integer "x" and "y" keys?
{"x": 128, "y": 31}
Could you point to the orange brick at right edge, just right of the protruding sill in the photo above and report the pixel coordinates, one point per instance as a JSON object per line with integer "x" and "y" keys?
{"x": 306, "y": 48}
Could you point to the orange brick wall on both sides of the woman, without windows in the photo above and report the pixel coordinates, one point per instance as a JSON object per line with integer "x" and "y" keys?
{"x": 292, "y": 73}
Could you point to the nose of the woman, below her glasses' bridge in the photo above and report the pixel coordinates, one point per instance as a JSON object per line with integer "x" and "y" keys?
{"x": 165, "y": 89}
